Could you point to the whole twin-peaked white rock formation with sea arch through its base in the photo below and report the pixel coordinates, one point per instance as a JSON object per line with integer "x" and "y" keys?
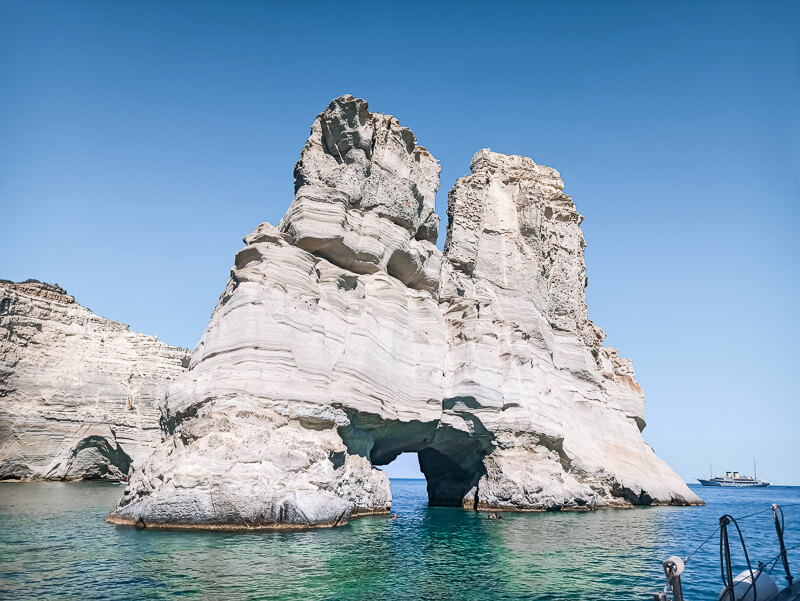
{"x": 345, "y": 337}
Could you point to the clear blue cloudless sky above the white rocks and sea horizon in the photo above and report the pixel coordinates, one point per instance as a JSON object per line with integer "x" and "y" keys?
{"x": 142, "y": 140}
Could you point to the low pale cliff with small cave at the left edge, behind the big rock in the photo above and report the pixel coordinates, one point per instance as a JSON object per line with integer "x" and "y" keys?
{"x": 78, "y": 393}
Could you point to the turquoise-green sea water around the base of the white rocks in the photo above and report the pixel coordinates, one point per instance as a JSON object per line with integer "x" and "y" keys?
{"x": 54, "y": 544}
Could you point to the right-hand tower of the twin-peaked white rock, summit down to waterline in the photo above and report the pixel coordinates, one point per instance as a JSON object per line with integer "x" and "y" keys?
{"x": 524, "y": 359}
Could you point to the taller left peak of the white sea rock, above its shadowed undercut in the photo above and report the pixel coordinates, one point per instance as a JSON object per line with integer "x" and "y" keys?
{"x": 365, "y": 194}
